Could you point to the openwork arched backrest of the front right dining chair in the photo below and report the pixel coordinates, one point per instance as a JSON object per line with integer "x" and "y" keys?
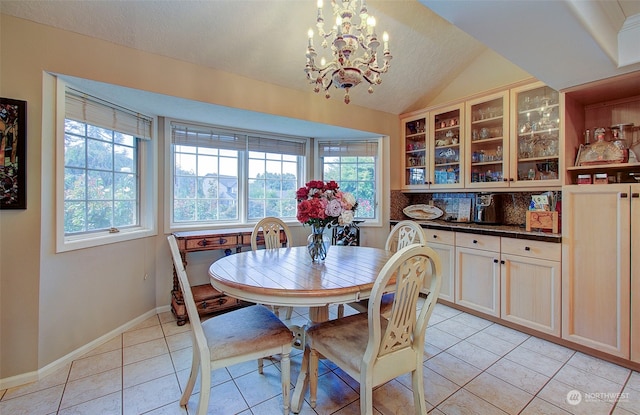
{"x": 398, "y": 347}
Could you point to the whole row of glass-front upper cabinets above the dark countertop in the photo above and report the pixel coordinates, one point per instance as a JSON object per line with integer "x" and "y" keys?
{"x": 508, "y": 138}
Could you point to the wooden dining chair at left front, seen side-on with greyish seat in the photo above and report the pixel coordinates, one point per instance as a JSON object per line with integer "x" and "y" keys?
{"x": 237, "y": 336}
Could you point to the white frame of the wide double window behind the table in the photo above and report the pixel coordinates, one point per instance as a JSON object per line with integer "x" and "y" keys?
{"x": 243, "y": 196}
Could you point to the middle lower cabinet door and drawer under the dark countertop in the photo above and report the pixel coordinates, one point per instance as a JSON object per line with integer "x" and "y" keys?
{"x": 478, "y": 272}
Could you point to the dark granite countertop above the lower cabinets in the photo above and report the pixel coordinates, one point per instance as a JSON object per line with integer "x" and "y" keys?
{"x": 509, "y": 231}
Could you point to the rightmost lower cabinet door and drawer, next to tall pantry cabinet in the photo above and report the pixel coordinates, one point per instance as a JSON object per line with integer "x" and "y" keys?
{"x": 530, "y": 284}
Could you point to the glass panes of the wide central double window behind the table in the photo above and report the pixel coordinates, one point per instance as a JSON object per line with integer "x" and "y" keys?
{"x": 222, "y": 168}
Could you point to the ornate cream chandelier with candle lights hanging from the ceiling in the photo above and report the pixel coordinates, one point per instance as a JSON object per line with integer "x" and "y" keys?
{"x": 353, "y": 48}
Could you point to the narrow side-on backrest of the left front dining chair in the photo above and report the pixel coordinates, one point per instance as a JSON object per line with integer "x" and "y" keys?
{"x": 199, "y": 339}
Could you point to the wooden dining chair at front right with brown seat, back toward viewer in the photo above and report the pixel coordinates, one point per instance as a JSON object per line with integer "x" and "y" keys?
{"x": 372, "y": 349}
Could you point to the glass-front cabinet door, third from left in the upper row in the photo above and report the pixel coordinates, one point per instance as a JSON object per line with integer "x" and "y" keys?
{"x": 488, "y": 141}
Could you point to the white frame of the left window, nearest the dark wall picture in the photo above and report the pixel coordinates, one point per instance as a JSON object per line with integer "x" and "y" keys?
{"x": 148, "y": 183}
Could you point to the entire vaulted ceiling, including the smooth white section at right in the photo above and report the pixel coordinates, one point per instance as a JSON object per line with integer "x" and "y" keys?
{"x": 554, "y": 41}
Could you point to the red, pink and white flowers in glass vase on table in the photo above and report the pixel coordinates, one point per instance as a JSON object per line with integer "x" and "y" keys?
{"x": 323, "y": 205}
